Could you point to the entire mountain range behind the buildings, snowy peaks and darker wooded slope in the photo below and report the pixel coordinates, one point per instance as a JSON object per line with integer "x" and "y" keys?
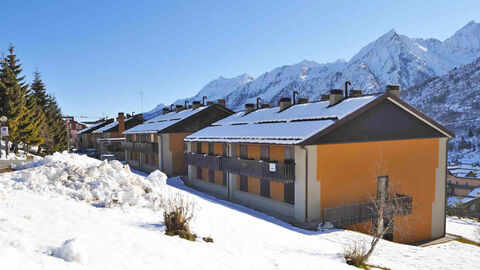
{"x": 439, "y": 77}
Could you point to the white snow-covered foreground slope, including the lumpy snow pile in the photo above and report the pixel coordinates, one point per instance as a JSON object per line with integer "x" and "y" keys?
{"x": 48, "y": 221}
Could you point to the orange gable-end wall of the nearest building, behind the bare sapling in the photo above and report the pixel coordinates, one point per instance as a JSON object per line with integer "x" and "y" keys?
{"x": 348, "y": 174}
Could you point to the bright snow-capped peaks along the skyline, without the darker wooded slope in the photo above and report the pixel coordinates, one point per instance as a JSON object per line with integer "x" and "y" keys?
{"x": 391, "y": 59}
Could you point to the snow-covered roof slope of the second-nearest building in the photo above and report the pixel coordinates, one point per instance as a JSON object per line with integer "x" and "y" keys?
{"x": 163, "y": 121}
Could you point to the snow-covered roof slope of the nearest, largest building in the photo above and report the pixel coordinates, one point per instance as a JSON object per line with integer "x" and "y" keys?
{"x": 291, "y": 126}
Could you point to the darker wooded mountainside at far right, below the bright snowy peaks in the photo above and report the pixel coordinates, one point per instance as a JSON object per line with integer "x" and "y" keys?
{"x": 453, "y": 100}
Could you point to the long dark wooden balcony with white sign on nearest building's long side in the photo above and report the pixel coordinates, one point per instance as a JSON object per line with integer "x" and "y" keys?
{"x": 280, "y": 172}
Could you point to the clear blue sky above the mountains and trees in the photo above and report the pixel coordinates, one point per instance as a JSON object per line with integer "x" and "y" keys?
{"x": 97, "y": 56}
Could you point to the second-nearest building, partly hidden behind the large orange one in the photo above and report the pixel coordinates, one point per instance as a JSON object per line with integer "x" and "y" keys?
{"x": 158, "y": 144}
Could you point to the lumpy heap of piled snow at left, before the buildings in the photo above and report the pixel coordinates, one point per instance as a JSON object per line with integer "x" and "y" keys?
{"x": 101, "y": 183}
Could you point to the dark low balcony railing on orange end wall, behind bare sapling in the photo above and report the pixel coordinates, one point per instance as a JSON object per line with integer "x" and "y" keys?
{"x": 358, "y": 213}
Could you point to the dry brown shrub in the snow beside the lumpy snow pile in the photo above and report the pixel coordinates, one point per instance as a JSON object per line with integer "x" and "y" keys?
{"x": 178, "y": 213}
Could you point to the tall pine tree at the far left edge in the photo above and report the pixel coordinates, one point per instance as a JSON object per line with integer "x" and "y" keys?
{"x": 13, "y": 90}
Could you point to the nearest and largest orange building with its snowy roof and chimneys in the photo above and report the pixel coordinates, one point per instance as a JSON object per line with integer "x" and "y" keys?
{"x": 309, "y": 163}
